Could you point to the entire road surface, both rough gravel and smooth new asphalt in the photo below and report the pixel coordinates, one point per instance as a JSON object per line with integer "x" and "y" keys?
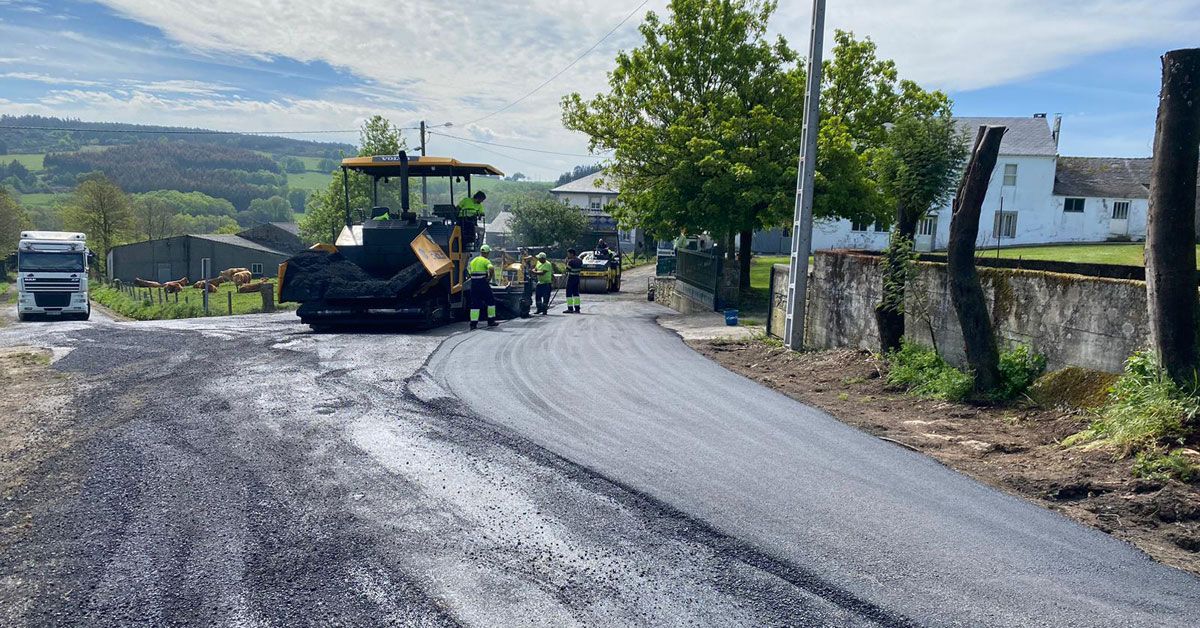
{"x": 572, "y": 471}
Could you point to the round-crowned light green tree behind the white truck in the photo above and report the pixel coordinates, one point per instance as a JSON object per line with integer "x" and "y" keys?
{"x": 100, "y": 210}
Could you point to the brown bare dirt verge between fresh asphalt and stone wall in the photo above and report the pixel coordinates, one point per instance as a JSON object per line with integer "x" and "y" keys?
{"x": 1015, "y": 448}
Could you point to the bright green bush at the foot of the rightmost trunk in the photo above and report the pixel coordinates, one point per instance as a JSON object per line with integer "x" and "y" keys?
{"x": 1145, "y": 410}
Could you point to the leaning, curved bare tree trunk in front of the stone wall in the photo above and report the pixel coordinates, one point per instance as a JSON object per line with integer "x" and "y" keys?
{"x": 967, "y": 294}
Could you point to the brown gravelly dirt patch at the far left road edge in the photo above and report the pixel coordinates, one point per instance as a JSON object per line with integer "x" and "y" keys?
{"x": 35, "y": 426}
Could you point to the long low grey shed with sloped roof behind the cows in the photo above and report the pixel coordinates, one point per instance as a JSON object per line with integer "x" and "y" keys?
{"x": 260, "y": 249}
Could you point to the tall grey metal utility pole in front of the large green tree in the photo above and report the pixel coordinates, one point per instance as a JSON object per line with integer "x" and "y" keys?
{"x": 802, "y": 228}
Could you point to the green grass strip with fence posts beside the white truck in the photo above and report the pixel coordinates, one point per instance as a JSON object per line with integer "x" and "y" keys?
{"x": 146, "y": 307}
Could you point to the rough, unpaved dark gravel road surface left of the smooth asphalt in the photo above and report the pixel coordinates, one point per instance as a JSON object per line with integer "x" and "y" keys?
{"x": 248, "y": 473}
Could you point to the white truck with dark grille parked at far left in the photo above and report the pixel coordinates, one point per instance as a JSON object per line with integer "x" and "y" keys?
{"x": 52, "y": 276}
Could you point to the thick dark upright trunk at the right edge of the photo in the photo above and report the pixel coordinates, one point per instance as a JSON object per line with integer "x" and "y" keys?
{"x": 1171, "y": 237}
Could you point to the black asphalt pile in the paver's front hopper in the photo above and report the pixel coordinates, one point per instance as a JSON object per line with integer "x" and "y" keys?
{"x": 314, "y": 276}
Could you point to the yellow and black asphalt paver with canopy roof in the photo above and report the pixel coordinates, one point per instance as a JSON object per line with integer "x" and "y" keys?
{"x": 397, "y": 270}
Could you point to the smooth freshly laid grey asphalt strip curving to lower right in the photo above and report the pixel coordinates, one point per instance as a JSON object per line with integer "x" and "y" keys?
{"x": 872, "y": 528}
